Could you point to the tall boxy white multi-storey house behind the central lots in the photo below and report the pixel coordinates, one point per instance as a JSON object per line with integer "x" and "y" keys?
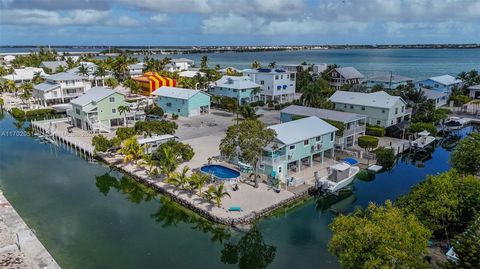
{"x": 276, "y": 84}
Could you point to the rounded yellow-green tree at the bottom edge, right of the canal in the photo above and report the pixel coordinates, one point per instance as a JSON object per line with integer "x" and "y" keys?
{"x": 379, "y": 237}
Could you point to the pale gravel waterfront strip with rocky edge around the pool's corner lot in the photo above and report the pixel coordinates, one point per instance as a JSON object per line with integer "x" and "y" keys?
{"x": 254, "y": 202}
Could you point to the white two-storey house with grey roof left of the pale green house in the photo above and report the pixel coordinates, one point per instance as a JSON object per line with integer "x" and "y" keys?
{"x": 59, "y": 88}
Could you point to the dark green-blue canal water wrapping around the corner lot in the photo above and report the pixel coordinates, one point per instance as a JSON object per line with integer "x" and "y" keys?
{"x": 90, "y": 217}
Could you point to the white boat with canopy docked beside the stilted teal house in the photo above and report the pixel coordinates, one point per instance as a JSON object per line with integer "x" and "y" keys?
{"x": 339, "y": 176}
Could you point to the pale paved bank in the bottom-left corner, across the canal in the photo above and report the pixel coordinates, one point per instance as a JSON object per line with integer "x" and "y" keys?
{"x": 19, "y": 247}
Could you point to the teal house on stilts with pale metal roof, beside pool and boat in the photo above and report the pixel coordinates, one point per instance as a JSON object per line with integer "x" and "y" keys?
{"x": 299, "y": 145}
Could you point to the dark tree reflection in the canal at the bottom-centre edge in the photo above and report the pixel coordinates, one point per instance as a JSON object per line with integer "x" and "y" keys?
{"x": 250, "y": 252}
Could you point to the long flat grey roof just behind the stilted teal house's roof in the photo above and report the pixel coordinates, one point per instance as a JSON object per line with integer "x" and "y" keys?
{"x": 340, "y": 116}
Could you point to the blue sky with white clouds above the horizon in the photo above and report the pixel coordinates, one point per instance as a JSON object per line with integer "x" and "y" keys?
{"x": 238, "y": 22}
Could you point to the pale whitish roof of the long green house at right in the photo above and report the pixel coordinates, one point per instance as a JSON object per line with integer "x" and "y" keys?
{"x": 376, "y": 99}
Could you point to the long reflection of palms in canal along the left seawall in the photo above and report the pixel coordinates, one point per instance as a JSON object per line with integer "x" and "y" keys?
{"x": 169, "y": 213}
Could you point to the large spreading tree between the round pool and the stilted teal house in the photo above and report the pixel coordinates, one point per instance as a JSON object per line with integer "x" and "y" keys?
{"x": 246, "y": 141}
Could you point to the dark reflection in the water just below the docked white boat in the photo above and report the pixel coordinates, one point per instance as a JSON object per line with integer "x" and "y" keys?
{"x": 335, "y": 203}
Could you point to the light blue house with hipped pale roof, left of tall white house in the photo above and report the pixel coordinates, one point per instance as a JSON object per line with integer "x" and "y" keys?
{"x": 240, "y": 88}
